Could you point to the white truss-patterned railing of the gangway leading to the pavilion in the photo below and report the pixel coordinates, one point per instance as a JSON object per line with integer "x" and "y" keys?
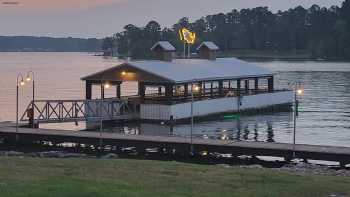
{"x": 53, "y": 111}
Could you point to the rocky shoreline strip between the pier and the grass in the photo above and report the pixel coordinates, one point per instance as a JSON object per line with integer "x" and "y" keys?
{"x": 297, "y": 167}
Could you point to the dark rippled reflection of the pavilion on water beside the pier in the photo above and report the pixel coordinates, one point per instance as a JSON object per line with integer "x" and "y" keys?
{"x": 247, "y": 128}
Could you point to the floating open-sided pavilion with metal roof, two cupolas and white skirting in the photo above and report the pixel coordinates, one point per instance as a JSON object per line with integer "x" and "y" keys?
{"x": 167, "y": 86}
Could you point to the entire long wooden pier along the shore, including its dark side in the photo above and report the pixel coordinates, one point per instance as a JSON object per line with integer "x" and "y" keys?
{"x": 180, "y": 144}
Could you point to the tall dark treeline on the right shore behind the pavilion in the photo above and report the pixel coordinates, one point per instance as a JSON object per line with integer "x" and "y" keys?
{"x": 319, "y": 31}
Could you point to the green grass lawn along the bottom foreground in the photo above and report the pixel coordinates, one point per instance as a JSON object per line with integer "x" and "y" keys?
{"x": 31, "y": 177}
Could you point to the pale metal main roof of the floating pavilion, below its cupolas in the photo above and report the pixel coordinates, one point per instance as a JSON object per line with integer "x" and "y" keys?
{"x": 186, "y": 70}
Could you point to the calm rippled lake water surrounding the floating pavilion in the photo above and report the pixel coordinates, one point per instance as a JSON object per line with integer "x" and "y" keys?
{"x": 324, "y": 120}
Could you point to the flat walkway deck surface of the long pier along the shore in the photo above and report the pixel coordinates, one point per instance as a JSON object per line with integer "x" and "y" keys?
{"x": 330, "y": 153}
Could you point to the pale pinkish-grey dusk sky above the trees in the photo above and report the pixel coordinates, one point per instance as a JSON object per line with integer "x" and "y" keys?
{"x": 100, "y": 18}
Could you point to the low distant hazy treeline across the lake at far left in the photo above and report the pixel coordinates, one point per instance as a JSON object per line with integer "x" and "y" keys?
{"x": 47, "y": 44}
